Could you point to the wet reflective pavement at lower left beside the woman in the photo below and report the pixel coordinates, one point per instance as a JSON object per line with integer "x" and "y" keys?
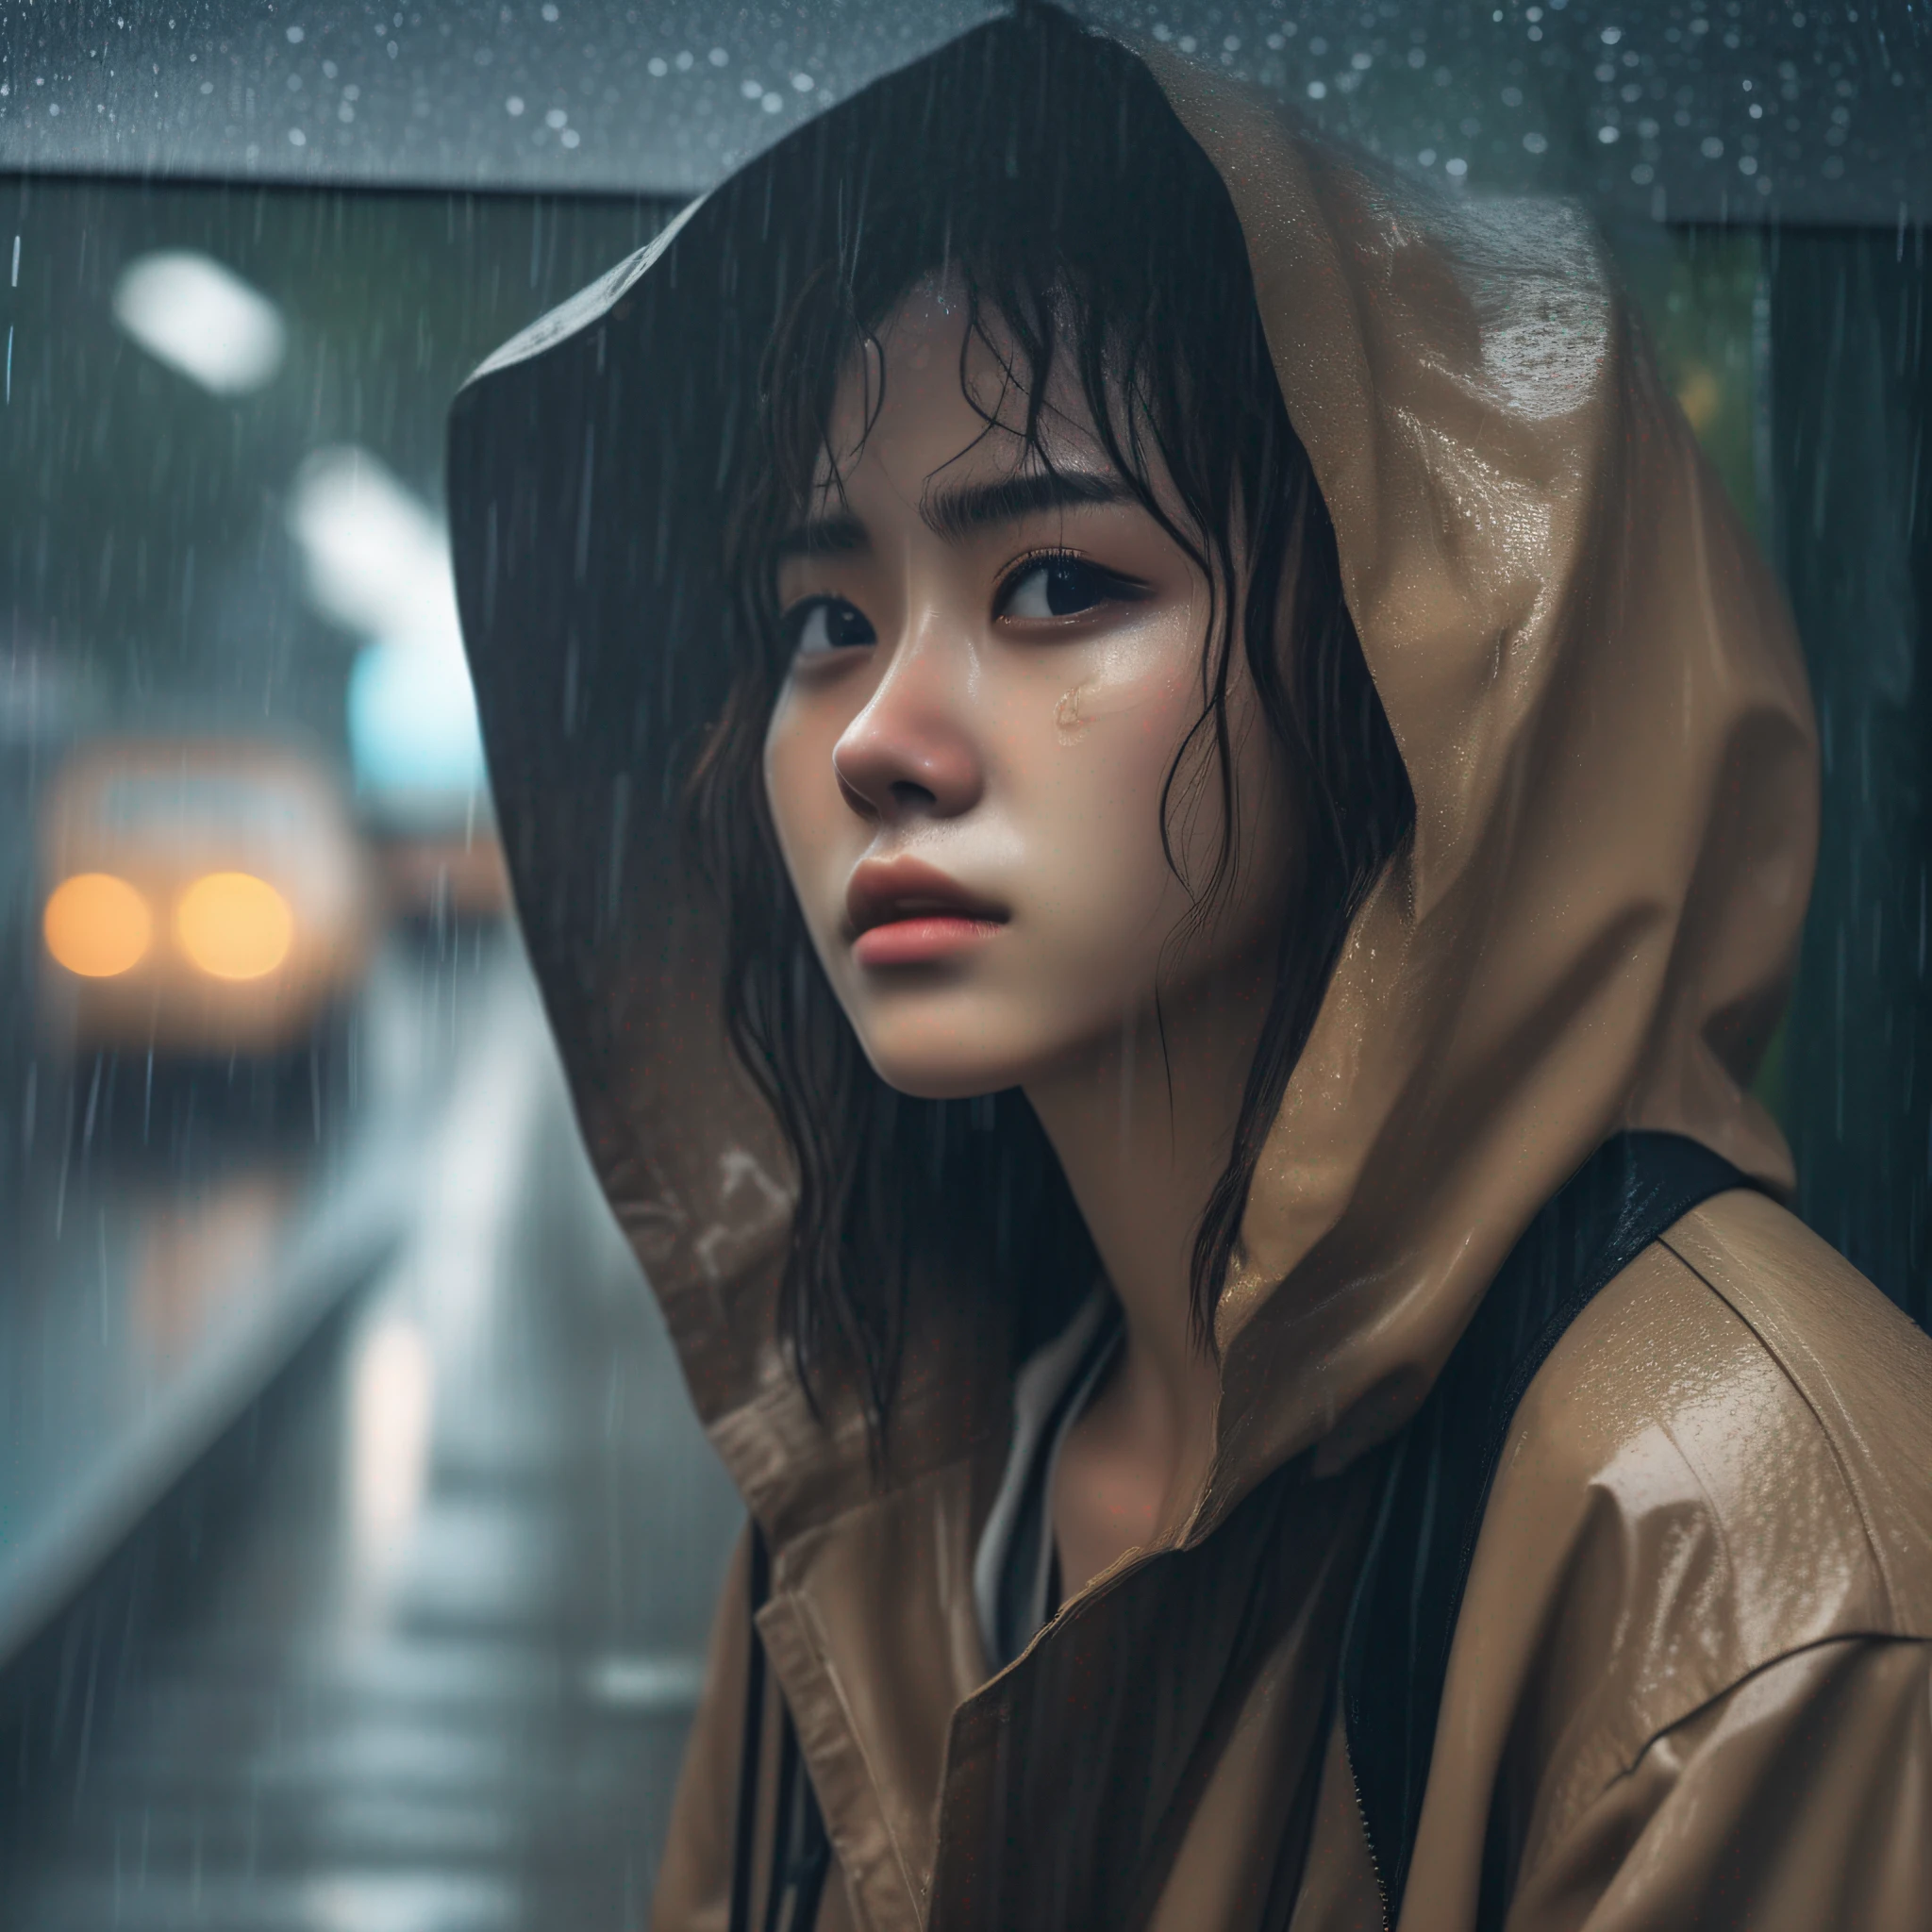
{"x": 420, "y": 1643}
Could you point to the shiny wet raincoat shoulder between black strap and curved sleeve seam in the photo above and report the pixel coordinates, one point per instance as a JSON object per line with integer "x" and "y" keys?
{"x": 1724, "y": 1462}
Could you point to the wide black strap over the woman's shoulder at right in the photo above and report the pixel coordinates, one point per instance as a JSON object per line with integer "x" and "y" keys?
{"x": 1396, "y": 1651}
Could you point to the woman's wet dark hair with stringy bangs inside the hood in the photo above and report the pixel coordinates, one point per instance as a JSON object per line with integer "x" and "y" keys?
{"x": 1094, "y": 244}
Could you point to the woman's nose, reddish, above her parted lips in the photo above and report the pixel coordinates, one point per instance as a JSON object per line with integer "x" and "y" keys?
{"x": 911, "y": 754}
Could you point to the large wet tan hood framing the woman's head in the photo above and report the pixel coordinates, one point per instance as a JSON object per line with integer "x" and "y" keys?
{"x": 1585, "y": 664}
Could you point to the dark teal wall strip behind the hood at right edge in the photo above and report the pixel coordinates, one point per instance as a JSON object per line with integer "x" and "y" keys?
{"x": 1852, "y": 480}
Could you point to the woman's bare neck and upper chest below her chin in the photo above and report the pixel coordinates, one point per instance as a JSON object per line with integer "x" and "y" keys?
{"x": 1143, "y": 1127}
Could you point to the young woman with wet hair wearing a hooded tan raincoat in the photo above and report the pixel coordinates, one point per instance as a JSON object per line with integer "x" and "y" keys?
{"x": 1162, "y": 816}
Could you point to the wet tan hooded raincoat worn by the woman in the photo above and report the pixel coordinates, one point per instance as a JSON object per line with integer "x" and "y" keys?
{"x": 1691, "y": 1682}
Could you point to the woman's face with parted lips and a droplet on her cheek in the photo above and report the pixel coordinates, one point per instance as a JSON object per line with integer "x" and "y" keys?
{"x": 994, "y": 669}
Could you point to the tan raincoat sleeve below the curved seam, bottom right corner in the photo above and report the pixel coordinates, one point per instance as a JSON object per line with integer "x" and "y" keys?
{"x": 1796, "y": 1802}
